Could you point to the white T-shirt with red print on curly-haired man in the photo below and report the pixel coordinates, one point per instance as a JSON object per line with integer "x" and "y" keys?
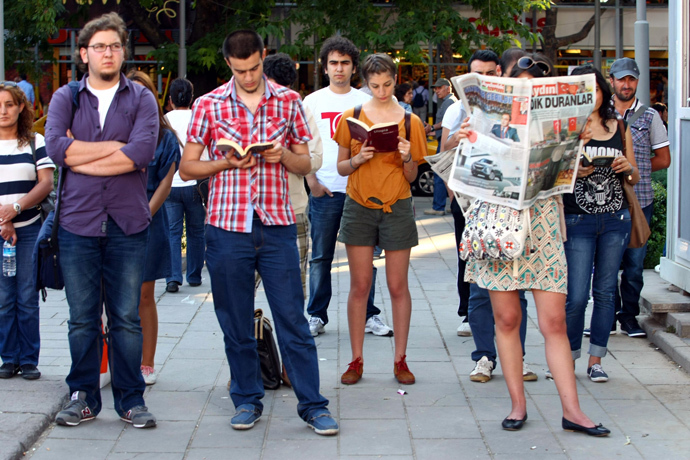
{"x": 327, "y": 108}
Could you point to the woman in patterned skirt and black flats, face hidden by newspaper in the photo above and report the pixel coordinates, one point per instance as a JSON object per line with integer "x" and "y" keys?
{"x": 544, "y": 272}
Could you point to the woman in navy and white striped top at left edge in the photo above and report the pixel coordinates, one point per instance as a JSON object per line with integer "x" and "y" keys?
{"x": 26, "y": 178}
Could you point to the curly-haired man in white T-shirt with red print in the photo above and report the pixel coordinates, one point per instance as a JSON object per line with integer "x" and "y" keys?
{"x": 339, "y": 58}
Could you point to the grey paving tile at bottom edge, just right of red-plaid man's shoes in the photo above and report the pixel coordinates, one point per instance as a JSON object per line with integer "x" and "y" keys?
{"x": 374, "y": 437}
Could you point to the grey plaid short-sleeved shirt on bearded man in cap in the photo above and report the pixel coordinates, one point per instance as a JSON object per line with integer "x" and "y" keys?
{"x": 649, "y": 134}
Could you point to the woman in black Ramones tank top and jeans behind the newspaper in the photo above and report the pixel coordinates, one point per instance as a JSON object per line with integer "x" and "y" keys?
{"x": 598, "y": 223}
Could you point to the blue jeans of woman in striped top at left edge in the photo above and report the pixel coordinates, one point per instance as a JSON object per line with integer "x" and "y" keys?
{"x": 20, "y": 340}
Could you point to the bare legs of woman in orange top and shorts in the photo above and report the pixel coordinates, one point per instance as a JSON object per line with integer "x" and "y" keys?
{"x": 360, "y": 259}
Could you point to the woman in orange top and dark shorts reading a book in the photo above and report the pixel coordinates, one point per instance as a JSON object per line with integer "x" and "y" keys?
{"x": 378, "y": 209}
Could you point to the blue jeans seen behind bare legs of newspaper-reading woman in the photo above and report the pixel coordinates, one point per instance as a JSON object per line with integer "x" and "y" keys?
{"x": 481, "y": 319}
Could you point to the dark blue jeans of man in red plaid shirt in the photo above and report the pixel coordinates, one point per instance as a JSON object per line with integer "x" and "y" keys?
{"x": 232, "y": 258}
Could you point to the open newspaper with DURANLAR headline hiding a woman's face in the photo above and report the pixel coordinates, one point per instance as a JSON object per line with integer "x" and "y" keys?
{"x": 524, "y": 137}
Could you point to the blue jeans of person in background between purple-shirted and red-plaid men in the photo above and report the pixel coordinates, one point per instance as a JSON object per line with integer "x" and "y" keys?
{"x": 184, "y": 203}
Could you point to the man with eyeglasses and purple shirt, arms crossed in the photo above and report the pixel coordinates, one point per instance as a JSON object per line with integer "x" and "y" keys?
{"x": 103, "y": 135}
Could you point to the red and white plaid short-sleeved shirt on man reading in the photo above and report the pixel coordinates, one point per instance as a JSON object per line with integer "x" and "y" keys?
{"x": 234, "y": 194}
